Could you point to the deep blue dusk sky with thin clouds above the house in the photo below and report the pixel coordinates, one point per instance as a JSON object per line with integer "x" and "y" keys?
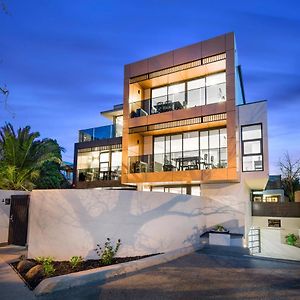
{"x": 62, "y": 61}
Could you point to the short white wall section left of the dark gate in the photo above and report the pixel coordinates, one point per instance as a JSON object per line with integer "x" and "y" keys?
{"x": 4, "y": 213}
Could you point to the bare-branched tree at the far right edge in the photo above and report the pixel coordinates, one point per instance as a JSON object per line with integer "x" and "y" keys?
{"x": 290, "y": 174}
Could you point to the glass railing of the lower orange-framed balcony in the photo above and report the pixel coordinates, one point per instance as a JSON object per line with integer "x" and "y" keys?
{"x": 175, "y": 161}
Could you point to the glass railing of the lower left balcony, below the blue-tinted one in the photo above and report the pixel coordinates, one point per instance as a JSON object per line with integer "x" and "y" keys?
{"x": 93, "y": 174}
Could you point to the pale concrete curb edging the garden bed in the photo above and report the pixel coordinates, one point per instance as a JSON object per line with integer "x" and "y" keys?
{"x": 100, "y": 275}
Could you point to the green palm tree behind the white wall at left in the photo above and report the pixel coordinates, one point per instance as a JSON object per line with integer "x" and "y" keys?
{"x": 22, "y": 155}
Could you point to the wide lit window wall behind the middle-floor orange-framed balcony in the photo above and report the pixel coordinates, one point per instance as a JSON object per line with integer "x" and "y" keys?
{"x": 191, "y": 151}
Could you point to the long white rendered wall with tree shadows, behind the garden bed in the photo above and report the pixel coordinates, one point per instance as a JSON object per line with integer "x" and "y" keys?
{"x": 63, "y": 223}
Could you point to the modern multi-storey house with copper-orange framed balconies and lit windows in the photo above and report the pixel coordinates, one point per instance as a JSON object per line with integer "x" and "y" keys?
{"x": 186, "y": 129}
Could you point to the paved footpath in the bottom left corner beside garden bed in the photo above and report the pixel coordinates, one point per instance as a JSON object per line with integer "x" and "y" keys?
{"x": 12, "y": 286}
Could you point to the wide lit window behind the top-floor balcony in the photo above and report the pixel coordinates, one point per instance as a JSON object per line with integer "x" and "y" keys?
{"x": 196, "y": 92}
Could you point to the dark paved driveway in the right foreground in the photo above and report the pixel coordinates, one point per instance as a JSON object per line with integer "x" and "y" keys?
{"x": 210, "y": 276}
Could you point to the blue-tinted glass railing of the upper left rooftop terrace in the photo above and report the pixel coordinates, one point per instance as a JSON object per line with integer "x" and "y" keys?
{"x": 97, "y": 133}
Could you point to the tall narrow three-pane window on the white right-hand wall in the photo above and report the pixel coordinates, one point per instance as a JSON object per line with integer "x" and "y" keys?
{"x": 252, "y": 148}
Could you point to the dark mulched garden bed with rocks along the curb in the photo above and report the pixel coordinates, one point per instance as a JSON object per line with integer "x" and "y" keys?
{"x": 64, "y": 267}
